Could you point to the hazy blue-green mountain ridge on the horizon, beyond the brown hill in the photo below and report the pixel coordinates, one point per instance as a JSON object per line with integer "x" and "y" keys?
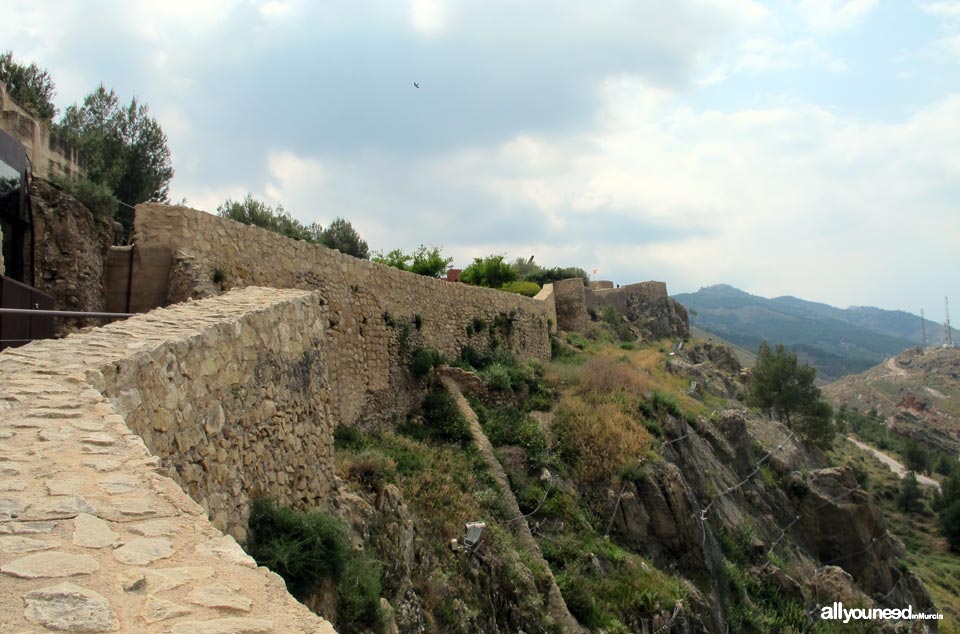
{"x": 836, "y": 341}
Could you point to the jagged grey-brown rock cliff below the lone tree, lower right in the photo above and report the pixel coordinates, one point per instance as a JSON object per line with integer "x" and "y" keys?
{"x": 711, "y": 491}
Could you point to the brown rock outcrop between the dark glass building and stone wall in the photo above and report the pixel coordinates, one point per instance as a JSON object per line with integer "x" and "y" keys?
{"x": 70, "y": 246}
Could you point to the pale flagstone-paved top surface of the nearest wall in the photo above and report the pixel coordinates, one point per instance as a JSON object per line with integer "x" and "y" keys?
{"x": 92, "y": 537}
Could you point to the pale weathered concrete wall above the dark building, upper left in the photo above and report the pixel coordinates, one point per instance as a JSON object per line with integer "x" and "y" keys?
{"x": 48, "y": 155}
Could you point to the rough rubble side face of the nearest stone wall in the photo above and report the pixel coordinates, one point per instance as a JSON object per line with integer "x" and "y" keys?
{"x": 239, "y": 407}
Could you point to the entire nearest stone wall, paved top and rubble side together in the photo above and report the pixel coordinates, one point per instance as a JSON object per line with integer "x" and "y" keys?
{"x": 228, "y": 394}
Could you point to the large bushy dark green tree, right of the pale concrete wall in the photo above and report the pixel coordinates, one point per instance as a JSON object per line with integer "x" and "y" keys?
{"x": 122, "y": 147}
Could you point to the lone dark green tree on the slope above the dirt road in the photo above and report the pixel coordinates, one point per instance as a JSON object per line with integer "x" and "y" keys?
{"x": 782, "y": 387}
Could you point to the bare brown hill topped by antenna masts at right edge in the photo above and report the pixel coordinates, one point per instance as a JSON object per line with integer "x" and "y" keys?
{"x": 917, "y": 392}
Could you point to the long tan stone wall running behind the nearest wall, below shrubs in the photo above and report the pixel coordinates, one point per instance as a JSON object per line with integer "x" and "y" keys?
{"x": 369, "y": 306}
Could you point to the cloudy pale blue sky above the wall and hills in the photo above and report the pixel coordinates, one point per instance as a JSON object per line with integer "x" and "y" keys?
{"x": 804, "y": 147}
